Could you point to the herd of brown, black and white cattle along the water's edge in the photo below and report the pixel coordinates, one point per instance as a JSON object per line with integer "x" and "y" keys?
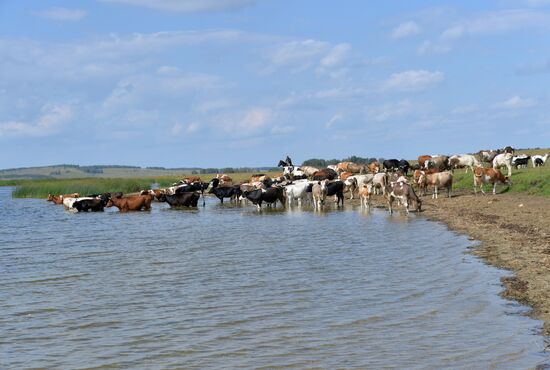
{"x": 306, "y": 183}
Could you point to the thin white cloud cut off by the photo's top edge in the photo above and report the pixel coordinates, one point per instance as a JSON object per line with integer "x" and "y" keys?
{"x": 188, "y": 6}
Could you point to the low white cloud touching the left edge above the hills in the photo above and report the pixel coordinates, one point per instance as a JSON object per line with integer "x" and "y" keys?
{"x": 48, "y": 123}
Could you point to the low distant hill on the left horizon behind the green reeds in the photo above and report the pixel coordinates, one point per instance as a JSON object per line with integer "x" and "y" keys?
{"x": 67, "y": 171}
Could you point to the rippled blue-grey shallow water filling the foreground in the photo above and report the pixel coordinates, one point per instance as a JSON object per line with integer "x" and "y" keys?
{"x": 230, "y": 287}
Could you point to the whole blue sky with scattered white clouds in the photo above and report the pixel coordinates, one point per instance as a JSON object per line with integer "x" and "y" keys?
{"x": 230, "y": 83}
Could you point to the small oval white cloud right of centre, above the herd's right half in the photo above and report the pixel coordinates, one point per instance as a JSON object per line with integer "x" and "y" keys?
{"x": 413, "y": 80}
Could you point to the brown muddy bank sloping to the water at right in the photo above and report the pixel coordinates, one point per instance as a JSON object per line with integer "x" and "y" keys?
{"x": 515, "y": 233}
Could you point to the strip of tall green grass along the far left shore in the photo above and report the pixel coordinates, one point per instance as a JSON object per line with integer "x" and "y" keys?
{"x": 41, "y": 188}
